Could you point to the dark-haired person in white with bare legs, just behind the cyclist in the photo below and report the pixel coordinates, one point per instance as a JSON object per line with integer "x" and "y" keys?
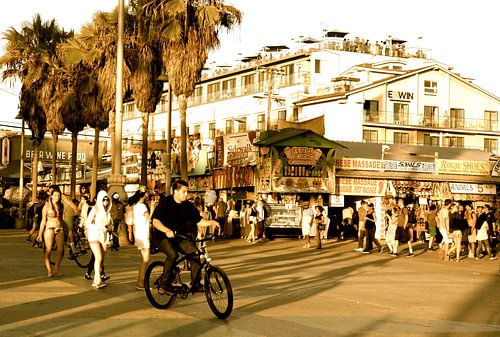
{"x": 141, "y": 229}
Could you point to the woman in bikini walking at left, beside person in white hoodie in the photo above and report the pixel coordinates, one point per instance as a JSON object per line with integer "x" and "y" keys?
{"x": 51, "y": 230}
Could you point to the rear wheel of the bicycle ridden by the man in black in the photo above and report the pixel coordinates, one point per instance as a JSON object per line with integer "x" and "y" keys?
{"x": 156, "y": 296}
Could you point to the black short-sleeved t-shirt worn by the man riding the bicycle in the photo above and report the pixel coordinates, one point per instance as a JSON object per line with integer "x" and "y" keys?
{"x": 181, "y": 218}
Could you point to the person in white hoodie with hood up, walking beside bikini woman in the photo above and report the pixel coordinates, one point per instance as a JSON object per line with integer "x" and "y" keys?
{"x": 97, "y": 225}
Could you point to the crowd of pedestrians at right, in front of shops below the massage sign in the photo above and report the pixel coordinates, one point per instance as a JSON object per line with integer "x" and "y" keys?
{"x": 462, "y": 230}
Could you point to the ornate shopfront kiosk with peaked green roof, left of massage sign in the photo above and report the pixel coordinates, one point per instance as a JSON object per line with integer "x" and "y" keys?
{"x": 295, "y": 168}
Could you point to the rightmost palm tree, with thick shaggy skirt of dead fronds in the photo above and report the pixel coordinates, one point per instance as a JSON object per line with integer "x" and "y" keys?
{"x": 190, "y": 29}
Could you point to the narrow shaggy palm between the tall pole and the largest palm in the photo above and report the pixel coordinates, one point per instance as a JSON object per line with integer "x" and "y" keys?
{"x": 146, "y": 66}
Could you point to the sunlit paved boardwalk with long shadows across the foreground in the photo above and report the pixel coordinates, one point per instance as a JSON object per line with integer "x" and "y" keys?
{"x": 281, "y": 289}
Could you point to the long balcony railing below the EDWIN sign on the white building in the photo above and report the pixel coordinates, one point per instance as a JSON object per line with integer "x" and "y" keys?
{"x": 441, "y": 122}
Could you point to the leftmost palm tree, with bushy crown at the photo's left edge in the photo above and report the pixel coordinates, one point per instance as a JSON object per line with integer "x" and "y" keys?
{"x": 28, "y": 57}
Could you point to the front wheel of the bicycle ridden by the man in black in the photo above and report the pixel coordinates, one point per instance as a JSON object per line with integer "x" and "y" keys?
{"x": 218, "y": 292}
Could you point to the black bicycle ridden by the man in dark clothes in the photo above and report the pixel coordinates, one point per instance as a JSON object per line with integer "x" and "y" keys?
{"x": 218, "y": 290}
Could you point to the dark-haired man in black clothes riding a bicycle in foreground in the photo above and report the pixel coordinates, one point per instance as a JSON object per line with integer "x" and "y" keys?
{"x": 175, "y": 215}
